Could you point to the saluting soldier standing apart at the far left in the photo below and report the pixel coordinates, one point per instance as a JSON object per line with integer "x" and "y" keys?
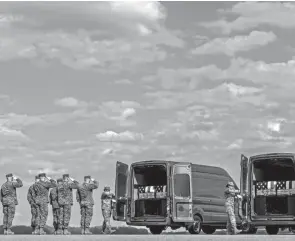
{"x": 9, "y": 201}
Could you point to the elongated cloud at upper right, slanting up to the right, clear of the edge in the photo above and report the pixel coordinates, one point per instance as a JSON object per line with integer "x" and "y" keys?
{"x": 230, "y": 46}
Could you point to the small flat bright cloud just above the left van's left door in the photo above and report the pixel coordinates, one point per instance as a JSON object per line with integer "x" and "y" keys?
{"x": 111, "y": 136}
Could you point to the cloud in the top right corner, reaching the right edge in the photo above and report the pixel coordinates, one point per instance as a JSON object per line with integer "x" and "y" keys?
{"x": 254, "y": 14}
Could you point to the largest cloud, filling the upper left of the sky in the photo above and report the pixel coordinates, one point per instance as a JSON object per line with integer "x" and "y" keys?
{"x": 87, "y": 38}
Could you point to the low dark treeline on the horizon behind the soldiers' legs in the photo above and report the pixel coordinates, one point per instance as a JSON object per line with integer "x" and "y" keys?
{"x": 74, "y": 230}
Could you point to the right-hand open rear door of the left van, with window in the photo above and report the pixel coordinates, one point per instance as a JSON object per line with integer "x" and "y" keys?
{"x": 182, "y": 193}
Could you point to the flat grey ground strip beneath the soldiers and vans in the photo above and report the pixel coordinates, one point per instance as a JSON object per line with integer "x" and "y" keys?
{"x": 148, "y": 237}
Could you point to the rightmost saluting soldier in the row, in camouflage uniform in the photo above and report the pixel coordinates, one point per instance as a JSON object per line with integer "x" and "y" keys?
{"x": 85, "y": 198}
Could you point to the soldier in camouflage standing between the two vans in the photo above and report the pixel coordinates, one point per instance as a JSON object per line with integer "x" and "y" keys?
{"x": 230, "y": 194}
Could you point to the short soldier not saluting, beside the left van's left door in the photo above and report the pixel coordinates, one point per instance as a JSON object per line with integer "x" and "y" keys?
{"x": 107, "y": 200}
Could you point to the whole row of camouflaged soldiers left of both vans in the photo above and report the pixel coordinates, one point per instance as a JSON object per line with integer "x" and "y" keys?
{"x": 59, "y": 194}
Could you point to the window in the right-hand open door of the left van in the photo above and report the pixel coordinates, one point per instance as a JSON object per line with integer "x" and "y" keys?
{"x": 182, "y": 185}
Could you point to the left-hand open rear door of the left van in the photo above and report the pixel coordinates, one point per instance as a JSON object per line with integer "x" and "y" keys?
{"x": 121, "y": 191}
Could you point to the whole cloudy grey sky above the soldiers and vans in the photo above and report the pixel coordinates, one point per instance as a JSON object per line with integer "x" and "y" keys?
{"x": 86, "y": 84}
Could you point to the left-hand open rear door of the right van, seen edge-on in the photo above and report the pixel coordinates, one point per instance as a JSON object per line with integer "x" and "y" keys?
{"x": 245, "y": 190}
